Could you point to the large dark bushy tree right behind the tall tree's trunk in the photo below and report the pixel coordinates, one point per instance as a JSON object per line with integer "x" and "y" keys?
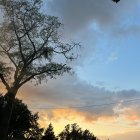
{"x": 23, "y": 122}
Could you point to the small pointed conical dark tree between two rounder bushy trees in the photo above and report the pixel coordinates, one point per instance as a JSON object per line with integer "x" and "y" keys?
{"x": 49, "y": 134}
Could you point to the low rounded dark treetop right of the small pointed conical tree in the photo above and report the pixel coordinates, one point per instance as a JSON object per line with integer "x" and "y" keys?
{"x": 74, "y": 132}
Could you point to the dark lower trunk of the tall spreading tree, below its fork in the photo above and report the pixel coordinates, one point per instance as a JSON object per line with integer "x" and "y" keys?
{"x": 5, "y": 114}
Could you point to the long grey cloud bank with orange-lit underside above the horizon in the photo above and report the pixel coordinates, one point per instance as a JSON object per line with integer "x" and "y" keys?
{"x": 72, "y": 96}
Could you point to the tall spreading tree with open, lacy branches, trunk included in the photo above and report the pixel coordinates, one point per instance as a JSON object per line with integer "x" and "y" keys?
{"x": 30, "y": 48}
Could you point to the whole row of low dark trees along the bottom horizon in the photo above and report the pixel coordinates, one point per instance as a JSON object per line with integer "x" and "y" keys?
{"x": 24, "y": 126}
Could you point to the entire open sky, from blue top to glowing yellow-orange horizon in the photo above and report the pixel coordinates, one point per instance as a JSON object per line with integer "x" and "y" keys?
{"x": 103, "y": 94}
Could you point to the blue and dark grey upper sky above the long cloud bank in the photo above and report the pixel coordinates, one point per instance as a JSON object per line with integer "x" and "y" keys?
{"x": 109, "y": 33}
